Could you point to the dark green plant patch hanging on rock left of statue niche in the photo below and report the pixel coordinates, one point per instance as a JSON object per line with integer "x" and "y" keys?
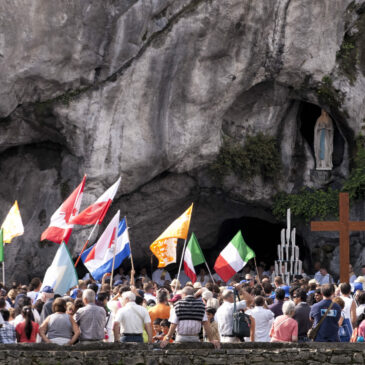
{"x": 258, "y": 156}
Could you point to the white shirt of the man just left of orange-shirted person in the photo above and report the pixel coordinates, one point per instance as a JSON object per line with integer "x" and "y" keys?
{"x": 132, "y": 318}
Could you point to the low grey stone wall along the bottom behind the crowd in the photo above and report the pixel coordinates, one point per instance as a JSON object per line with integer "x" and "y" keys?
{"x": 184, "y": 354}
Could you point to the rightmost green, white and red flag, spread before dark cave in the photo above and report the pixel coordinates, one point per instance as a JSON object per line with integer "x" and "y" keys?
{"x": 233, "y": 258}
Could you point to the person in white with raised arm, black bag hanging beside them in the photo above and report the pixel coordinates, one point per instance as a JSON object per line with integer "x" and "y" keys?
{"x": 224, "y": 315}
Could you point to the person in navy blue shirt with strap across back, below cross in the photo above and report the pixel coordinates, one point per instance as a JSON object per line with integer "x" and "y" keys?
{"x": 328, "y": 331}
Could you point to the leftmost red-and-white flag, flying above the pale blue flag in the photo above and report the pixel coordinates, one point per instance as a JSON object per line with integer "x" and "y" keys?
{"x": 59, "y": 228}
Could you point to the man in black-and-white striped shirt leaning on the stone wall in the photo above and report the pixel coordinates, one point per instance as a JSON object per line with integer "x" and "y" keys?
{"x": 187, "y": 318}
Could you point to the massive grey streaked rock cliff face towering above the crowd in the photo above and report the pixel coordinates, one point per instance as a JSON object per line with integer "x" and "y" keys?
{"x": 147, "y": 89}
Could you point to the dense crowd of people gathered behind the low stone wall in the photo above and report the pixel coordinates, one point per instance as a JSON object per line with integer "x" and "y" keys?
{"x": 161, "y": 310}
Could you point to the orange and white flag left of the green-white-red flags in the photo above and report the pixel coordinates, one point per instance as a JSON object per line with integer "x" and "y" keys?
{"x": 164, "y": 247}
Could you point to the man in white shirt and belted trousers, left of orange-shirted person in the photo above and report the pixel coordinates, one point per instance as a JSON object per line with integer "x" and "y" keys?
{"x": 130, "y": 321}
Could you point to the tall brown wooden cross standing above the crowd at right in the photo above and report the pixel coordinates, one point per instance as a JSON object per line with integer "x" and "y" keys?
{"x": 344, "y": 226}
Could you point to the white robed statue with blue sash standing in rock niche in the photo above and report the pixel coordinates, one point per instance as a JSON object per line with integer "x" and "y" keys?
{"x": 323, "y": 142}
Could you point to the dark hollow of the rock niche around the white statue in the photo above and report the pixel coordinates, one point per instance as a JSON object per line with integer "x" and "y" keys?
{"x": 308, "y": 115}
